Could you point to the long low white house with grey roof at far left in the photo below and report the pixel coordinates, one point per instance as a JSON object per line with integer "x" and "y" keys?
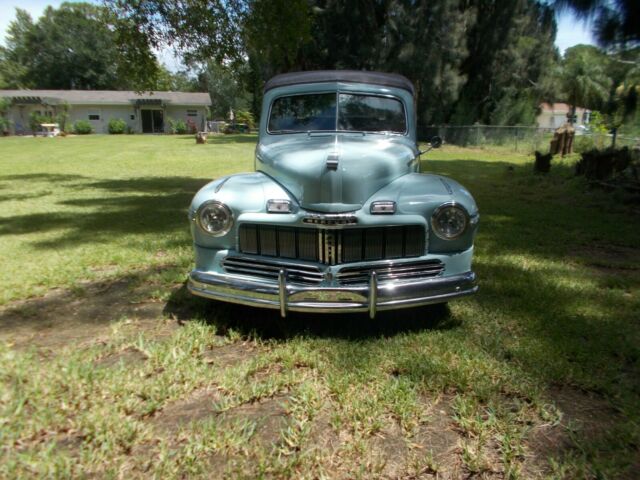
{"x": 147, "y": 112}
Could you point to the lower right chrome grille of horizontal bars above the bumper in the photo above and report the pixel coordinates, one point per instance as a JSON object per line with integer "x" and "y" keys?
{"x": 401, "y": 271}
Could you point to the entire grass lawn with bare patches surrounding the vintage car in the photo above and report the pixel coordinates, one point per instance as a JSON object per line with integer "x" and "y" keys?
{"x": 109, "y": 368}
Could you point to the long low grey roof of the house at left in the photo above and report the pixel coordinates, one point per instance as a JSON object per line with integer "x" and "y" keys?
{"x": 106, "y": 97}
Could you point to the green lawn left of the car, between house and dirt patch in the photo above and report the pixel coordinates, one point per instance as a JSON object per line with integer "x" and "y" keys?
{"x": 110, "y": 204}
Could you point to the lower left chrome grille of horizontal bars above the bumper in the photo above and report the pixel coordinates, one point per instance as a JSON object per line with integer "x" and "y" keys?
{"x": 296, "y": 273}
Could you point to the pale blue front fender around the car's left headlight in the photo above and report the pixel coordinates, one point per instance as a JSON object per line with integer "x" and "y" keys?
{"x": 242, "y": 193}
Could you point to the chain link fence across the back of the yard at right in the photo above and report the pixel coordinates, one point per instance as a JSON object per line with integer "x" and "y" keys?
{"x": 520, "y": 139}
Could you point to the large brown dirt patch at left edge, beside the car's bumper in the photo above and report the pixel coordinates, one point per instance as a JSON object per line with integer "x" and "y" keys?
{"x": 63, "y": 317}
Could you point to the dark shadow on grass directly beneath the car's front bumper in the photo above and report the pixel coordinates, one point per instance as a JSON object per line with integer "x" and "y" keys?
{"x": 268, "y": 324}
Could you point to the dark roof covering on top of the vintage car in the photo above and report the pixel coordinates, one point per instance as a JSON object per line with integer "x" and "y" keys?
{"x": 353, "y": 76}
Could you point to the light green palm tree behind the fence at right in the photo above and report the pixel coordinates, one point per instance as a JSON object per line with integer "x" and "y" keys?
{"x": 584, "y": 80}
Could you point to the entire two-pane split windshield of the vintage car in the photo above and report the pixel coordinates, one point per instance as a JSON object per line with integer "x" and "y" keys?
{"x": 341, "y": 112}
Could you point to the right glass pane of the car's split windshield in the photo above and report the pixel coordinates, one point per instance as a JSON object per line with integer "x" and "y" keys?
{"x": 370, "y": 113}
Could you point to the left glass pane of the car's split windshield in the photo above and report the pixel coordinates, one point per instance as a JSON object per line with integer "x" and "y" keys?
{"x": 300, "y": 113}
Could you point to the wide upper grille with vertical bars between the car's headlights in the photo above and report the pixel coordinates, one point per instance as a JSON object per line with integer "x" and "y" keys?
{"x": 333, "y": 247}
